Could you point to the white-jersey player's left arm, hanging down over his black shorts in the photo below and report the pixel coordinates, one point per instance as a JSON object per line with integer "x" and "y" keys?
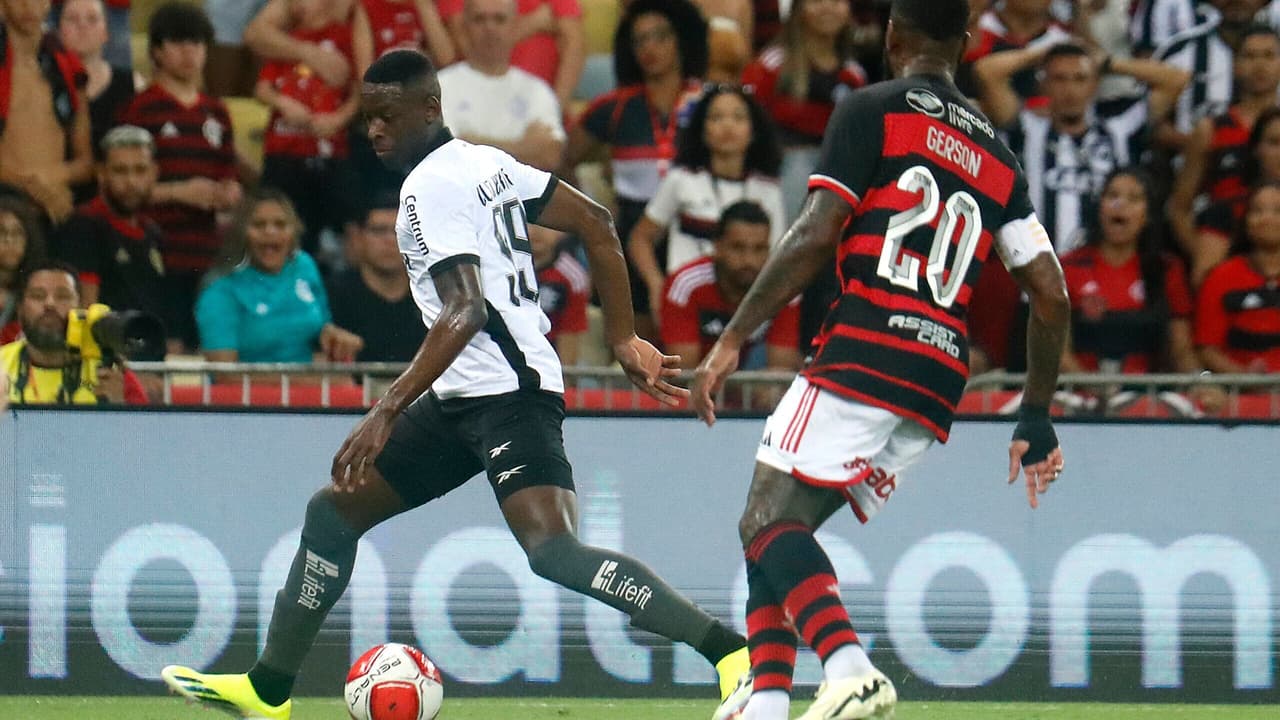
{"x": 461, "y": 318}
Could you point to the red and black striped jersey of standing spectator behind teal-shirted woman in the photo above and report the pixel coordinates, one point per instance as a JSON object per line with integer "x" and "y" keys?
{"x": 191, "y": 143}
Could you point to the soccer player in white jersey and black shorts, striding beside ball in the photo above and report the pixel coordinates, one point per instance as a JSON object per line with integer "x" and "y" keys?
{"x": 483, "y": 395}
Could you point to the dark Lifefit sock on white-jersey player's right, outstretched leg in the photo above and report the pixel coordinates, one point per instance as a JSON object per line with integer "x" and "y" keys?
{"x": 629, "y": 586}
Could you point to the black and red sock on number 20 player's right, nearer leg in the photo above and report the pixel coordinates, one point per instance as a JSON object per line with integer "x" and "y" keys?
{"x": 799, "y": 572}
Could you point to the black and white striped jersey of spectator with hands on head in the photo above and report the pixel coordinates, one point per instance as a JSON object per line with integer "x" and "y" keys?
{"x": 1066, "y": 174}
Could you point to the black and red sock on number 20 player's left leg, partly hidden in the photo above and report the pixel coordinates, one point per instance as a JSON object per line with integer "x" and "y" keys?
{"x": 772, "y": 641}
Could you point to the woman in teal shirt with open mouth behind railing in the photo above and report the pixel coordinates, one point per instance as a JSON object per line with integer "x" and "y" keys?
{"x": 272, "y": 308}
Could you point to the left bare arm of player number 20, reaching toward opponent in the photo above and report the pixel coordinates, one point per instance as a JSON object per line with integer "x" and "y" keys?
{"x": 802, "y": 254}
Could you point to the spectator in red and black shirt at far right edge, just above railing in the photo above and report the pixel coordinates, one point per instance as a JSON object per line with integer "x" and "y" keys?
{"x": 1238, "y": 316}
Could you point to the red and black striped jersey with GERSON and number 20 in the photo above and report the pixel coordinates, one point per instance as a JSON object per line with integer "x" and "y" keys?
{"x": 932, "y": 190}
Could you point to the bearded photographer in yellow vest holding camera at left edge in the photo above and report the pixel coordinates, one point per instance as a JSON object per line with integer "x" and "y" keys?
{"x": 67, "y": 356}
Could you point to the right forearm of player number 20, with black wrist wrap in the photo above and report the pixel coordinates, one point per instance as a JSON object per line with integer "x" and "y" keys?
{"x": 1035, "y": 446}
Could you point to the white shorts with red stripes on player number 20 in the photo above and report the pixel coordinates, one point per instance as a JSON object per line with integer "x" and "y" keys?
{"x": 829, "y": 441}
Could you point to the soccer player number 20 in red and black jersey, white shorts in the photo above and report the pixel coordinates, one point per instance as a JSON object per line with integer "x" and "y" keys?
{"x": 912, "y": 194}
